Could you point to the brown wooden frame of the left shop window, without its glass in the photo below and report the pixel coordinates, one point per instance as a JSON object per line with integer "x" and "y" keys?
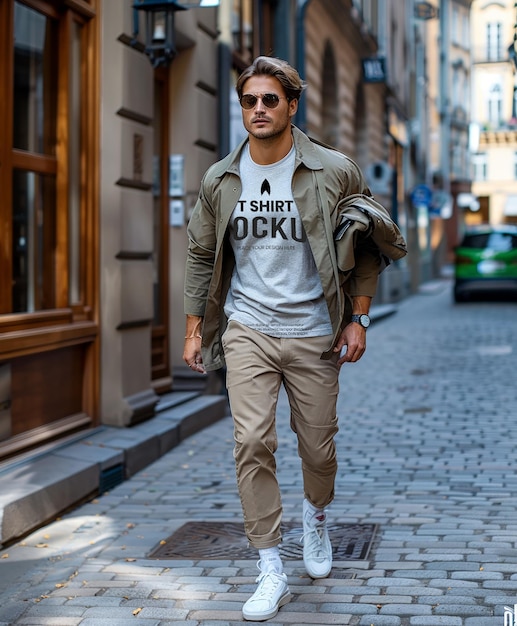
{"x": 57, "y": 166}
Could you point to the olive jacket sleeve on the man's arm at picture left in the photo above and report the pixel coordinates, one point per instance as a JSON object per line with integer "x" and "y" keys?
{"x": 201, "y": 232}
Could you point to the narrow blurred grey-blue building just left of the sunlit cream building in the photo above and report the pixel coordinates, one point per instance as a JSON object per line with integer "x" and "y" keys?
{"x": 449, "y": 79}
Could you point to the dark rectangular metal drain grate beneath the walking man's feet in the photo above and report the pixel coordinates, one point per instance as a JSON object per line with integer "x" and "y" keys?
{"x": 223, "y": 540}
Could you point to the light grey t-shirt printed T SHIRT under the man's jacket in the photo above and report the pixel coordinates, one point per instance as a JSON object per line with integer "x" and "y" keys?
{"x": 275, "y": 287}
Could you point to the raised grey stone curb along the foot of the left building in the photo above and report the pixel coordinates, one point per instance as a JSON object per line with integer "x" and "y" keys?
{"x": 42, "y": 487}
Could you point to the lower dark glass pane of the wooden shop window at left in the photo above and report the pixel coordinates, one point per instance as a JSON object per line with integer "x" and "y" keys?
{"x": 34, "y": 228}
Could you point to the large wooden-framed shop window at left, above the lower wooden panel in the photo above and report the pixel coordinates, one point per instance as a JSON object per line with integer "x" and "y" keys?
{"x": 44, "y": 177}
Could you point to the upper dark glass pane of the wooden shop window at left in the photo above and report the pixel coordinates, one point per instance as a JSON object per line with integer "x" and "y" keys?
{"x": 35, "y": 81}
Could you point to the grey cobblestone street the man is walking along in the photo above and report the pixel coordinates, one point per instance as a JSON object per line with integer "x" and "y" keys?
{"x": 427, "y": 447}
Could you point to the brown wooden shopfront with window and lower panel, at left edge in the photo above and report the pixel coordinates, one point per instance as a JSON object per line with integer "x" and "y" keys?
{"x": 49, "y": 335}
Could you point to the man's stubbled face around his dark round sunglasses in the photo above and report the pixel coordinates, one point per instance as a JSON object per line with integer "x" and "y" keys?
{"x": 263, "y": 122}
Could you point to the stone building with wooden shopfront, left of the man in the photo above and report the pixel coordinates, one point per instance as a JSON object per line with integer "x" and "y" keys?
{"x": 97, "y": 178}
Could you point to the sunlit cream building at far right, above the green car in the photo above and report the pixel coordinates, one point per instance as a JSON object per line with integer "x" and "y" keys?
{"x": 494, "y": 111}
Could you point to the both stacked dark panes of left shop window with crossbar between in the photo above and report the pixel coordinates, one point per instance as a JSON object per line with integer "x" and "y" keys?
{"x": 34, "y": 173}
